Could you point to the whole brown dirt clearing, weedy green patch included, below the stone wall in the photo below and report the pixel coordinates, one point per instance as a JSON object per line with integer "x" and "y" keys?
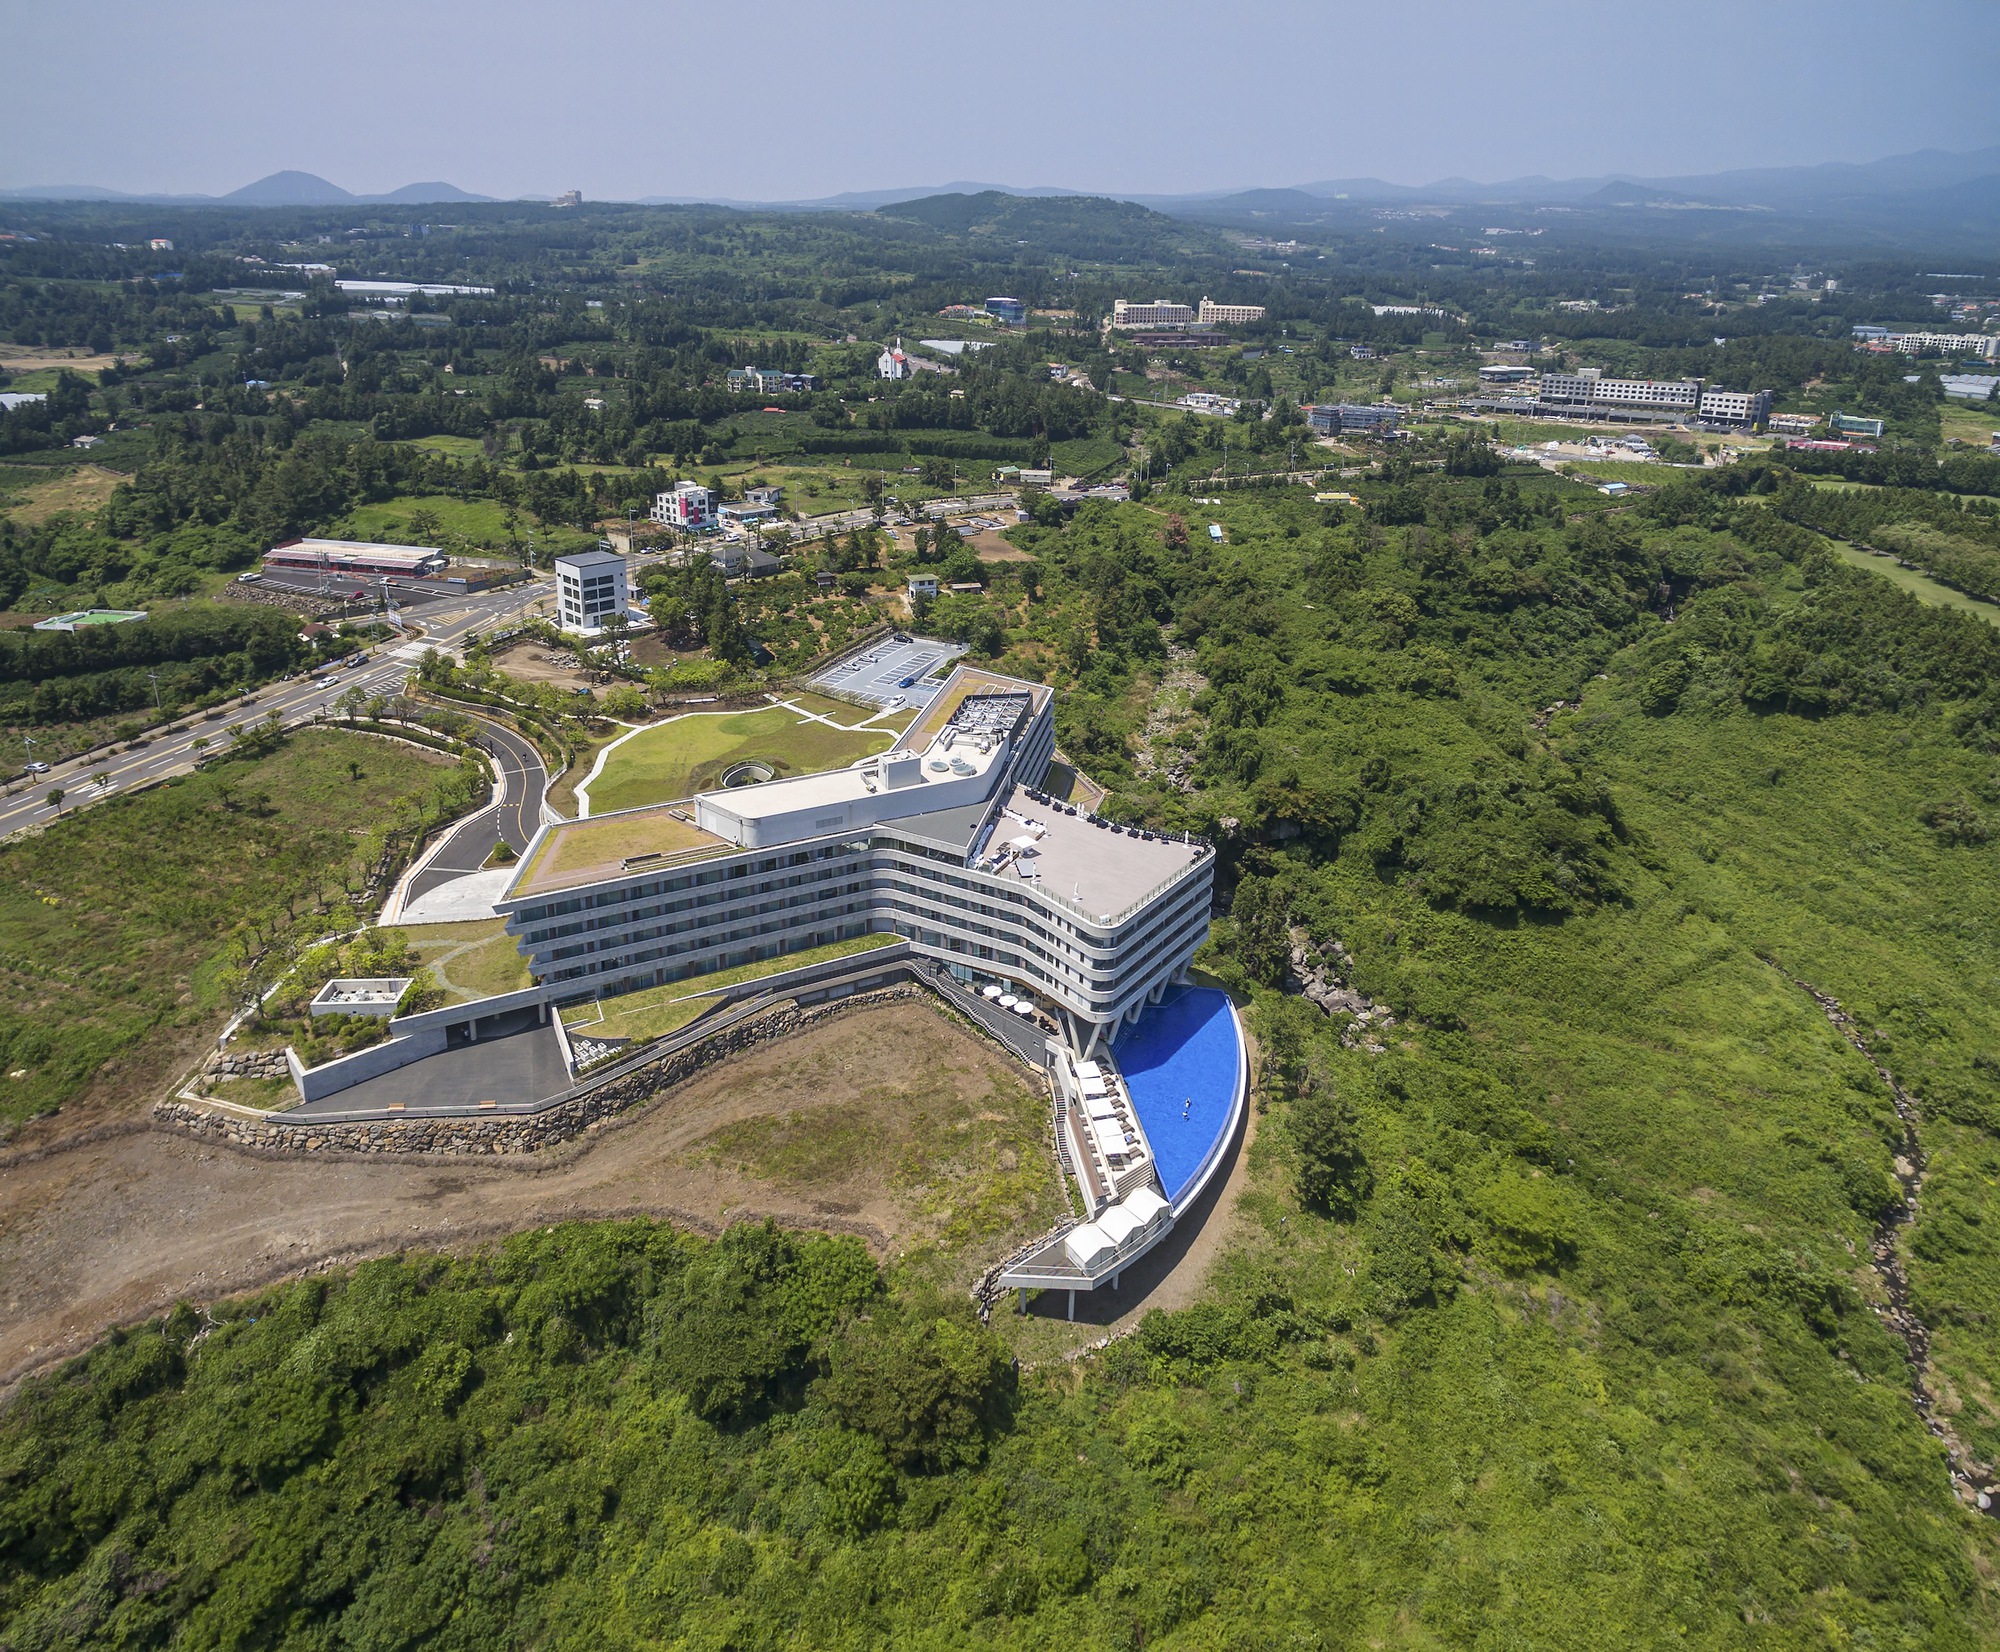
{"x": 113, "y": 1231}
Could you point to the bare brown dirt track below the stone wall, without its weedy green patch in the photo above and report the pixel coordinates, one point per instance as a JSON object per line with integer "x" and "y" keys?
{"x": 115, "y": 1231}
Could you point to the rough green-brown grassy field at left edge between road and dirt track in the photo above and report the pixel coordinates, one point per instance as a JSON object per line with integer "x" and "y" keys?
{"x": 115, "y": 921}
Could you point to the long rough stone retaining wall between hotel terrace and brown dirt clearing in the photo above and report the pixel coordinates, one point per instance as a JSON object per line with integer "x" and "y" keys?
{"x": 521, "y": 1133}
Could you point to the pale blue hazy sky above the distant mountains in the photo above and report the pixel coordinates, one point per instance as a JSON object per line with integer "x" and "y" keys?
{"x": 791, "y": 99}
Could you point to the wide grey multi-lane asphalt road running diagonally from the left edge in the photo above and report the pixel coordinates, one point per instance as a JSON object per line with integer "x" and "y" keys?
{"x": 299, "y": 701}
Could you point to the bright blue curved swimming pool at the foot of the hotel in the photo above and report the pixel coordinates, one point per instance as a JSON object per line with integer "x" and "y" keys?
{"x": 1183, "y": 1065}
